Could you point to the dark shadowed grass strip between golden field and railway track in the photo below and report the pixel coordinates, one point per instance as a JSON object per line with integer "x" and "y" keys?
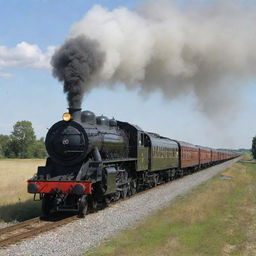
{"x": 20, "y": 211}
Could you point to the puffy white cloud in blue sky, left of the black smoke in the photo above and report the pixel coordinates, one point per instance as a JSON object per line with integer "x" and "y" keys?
{"x": 24, "y": 55}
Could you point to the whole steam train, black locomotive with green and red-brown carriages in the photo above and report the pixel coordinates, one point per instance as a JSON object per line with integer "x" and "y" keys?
{"x": 93, "y": 161}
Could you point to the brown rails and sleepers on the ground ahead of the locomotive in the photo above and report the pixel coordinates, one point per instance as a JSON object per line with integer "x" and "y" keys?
{"x": 29, "y": 228}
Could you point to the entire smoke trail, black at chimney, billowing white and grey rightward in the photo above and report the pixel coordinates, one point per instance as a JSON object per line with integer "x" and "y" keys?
{"x": 207, "y": 49}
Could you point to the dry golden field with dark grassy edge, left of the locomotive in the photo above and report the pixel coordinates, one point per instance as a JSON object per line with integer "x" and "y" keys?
{"x": 15, "y": 202}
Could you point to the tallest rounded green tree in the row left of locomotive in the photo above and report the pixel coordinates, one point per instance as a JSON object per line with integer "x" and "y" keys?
{"x": 22, "y": 139}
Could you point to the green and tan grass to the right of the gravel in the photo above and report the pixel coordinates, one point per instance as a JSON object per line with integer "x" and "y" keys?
{"x": 216, "y": 218}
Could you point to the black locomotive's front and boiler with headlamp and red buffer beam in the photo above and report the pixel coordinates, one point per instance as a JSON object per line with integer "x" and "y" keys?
{"x": 77, "y": 147}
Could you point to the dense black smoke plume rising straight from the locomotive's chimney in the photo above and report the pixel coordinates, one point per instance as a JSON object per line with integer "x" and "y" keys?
{"x": 75, "y": 63}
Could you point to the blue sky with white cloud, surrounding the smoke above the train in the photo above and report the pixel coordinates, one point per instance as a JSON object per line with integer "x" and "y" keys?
{"x": 31, "y": 30}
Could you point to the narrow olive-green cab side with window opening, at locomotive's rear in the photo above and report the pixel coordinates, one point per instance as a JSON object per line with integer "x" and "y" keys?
{"x": 142, "y": 162}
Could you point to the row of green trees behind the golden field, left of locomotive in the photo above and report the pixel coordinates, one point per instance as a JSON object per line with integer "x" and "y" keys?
{"x": 22, "y": 143}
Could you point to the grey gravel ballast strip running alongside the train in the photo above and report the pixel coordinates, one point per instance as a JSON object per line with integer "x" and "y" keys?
{"x": 77, "y": 237}
